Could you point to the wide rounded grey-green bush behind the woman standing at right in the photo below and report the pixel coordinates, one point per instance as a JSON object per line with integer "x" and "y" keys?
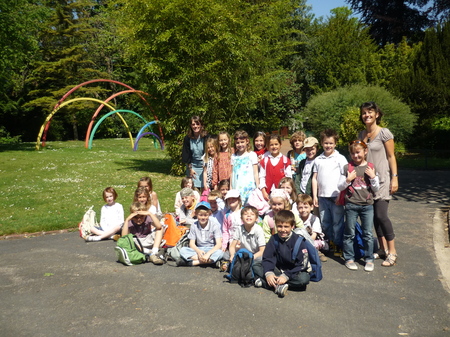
{"x": 336, "y": 110}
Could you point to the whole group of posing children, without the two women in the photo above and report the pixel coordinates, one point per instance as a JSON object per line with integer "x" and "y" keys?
{"x": 262, "y": 201}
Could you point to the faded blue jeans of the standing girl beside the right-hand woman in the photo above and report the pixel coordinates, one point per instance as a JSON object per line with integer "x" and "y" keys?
{"x": 365, "y": 213}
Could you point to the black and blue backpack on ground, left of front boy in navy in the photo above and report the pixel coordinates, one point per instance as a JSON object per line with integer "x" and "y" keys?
{"x": 241, "y": 270}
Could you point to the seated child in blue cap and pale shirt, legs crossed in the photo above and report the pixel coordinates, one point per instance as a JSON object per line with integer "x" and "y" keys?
{"x": 205, "y": 239}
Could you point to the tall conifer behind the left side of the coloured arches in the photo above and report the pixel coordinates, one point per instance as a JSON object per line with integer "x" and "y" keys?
{"x": 65, "y": 45}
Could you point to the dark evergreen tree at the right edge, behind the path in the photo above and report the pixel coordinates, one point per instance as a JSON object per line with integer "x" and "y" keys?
{"x": 425, "y": 86}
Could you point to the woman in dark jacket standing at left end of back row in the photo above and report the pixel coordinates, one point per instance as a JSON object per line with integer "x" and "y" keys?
{"x": 193, "y": 150}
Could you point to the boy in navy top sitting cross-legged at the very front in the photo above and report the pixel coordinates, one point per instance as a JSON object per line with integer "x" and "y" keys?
{"x": 280, "y": 270}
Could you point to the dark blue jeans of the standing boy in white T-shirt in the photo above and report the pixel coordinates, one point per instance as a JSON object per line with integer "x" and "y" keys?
{"x": 332, "y": 219}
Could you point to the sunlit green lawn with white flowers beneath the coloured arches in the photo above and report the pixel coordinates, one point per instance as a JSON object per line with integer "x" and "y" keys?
{"x": 52, "y": 188}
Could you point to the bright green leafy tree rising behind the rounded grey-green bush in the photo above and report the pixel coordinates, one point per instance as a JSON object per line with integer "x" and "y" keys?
{"x": 340, "y": 52}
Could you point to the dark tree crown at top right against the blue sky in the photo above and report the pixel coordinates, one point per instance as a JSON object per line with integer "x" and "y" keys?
{"x": 391, "y": 20}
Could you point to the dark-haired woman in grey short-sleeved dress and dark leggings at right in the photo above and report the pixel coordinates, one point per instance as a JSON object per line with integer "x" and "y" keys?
{"x": 380, "y": 142}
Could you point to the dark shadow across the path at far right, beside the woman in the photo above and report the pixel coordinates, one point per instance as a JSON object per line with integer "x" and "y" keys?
{"x": 424, "y": 186}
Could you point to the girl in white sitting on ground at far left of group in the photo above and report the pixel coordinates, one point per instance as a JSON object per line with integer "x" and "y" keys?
{"x": 111, "y": 218}
